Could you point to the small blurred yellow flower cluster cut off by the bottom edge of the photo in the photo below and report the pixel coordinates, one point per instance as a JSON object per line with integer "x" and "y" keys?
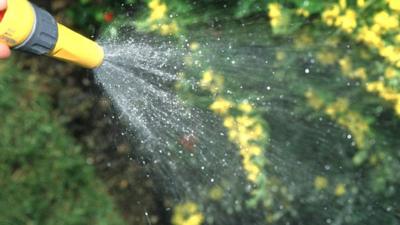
{"x": 187, "y": 214}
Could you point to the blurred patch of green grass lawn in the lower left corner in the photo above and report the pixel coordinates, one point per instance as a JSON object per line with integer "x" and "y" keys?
{"x": 44, "y": 179}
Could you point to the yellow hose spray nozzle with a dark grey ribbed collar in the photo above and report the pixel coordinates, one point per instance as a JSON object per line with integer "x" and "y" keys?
{"x": 26, "y": 27}
